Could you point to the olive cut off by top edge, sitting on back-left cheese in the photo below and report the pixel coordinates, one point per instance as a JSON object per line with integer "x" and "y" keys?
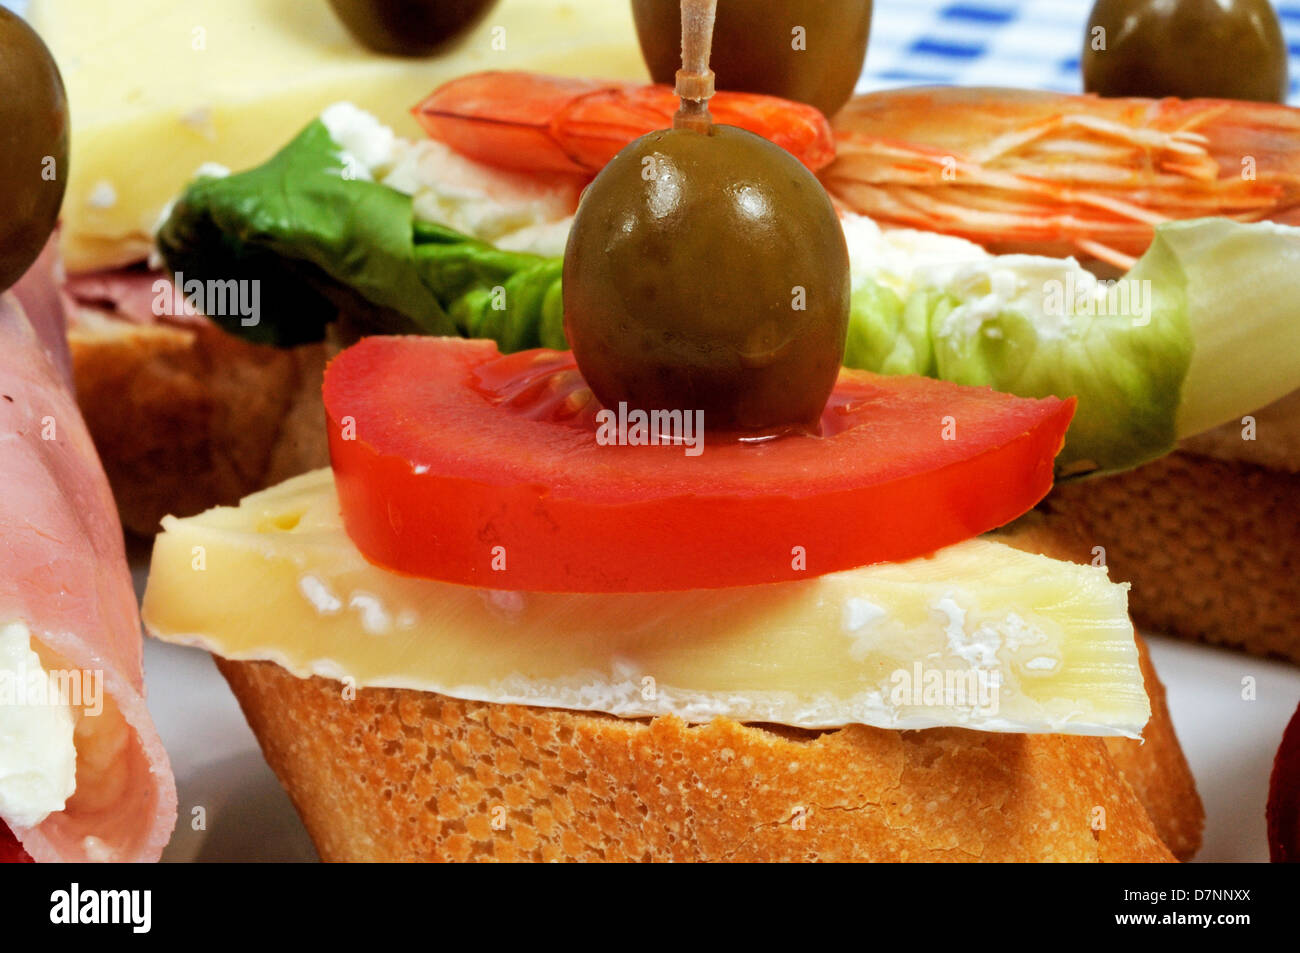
{"x": 410, "y": 28}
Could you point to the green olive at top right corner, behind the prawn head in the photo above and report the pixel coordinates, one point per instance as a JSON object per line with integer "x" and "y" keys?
{"x": 1189, "y": 49}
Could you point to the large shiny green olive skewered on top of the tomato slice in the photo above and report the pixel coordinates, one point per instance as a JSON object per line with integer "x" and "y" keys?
{"x": 708, "y": 271}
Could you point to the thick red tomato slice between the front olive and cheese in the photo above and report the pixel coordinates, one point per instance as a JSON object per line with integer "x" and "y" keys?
{"x": 456, "y": 463}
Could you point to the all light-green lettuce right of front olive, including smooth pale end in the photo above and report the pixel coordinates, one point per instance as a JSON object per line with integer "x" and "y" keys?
{"x": 1202, "y": 331}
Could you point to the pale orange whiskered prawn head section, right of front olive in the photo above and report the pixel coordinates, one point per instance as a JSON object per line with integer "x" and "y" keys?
{"x": 1056, "y": 175}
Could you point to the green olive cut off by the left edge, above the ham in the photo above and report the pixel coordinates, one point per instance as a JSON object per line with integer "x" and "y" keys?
{"x": 33, "y": 146}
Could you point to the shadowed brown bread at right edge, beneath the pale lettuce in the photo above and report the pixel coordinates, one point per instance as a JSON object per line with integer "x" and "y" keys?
{"x": 1212, "y": 547}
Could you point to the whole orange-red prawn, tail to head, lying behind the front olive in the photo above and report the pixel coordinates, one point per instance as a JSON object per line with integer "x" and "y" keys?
{"x": 1009, "y": 170}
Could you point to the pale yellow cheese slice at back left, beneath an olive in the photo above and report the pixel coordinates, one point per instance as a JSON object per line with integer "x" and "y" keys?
{"x": 158, "y": 88}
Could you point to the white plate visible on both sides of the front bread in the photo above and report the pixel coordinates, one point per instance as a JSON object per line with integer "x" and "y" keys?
{"x": 1230, "y": 743}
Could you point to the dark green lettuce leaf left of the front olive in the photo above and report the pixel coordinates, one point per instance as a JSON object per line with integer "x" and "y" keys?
{"x": 324, "y": 245}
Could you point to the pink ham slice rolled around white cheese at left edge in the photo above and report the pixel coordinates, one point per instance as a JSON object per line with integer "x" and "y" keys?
{"x": 64, "y": 574}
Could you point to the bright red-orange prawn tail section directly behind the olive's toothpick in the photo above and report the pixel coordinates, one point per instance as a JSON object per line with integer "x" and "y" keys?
{"x": 536, "y": 123}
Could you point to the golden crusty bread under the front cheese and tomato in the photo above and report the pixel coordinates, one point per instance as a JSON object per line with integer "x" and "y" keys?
{"x": 400, "y": 776}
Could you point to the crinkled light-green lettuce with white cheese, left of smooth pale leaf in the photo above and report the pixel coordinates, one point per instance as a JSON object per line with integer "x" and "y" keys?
{"x": 1125, "y": 363}
